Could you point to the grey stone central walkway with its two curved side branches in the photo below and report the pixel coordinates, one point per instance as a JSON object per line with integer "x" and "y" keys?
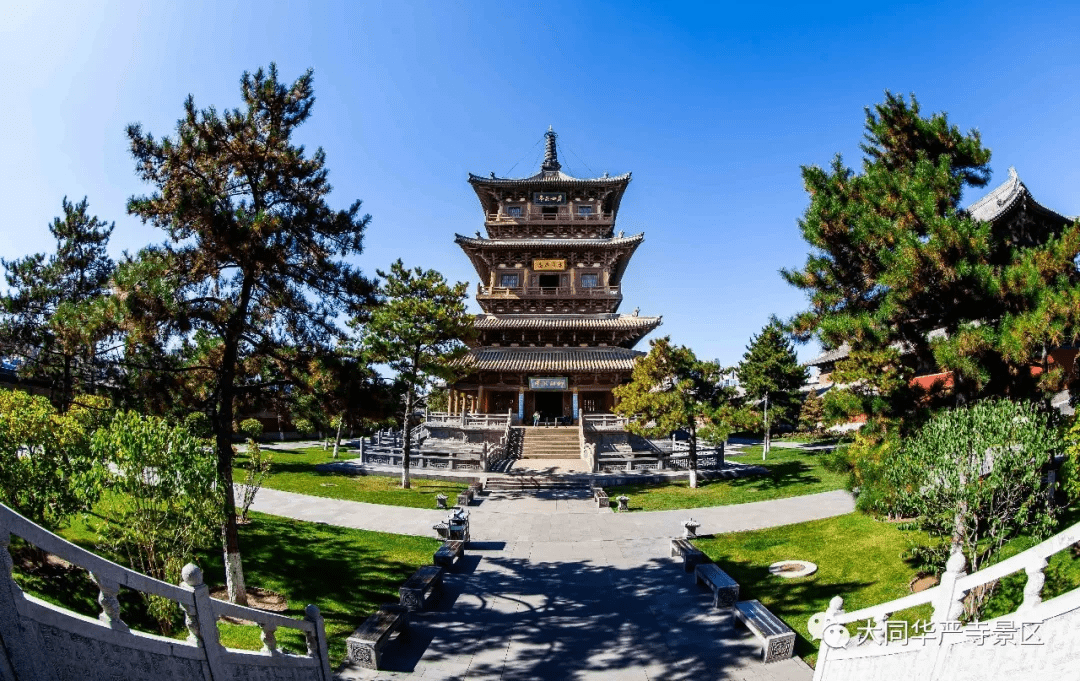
{"x": 551, "y": 588}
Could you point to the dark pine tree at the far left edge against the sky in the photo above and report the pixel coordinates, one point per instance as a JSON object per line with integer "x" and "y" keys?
{"x": 45, "y": 317}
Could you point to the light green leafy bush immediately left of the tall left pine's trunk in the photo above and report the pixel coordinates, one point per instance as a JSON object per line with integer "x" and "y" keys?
{"x": 171, "y": 505}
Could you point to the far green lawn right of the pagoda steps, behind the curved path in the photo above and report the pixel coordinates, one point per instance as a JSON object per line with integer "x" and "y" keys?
{"x": 792, "y": 473}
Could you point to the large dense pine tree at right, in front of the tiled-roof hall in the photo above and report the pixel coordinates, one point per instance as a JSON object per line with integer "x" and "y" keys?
{"x": 909, "y": 280}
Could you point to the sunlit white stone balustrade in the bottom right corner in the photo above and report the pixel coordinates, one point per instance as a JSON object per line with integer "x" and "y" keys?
{"x": 1038, "y": 636}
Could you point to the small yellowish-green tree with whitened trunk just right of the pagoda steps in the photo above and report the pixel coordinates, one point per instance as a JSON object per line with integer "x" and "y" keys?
{"x": 671, "y": 389}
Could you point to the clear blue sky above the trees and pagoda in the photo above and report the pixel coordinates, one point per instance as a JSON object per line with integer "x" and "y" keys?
{"x": 713, "y": 108}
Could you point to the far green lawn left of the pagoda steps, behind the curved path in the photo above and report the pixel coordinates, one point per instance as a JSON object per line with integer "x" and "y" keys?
{"x": 294, "y": 471}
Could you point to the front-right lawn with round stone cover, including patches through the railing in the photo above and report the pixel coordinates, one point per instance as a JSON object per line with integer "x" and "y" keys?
{"x": 860, "y": 560}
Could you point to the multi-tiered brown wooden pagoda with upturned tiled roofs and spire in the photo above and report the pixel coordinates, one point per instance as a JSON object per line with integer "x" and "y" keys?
{"x": 550, "y": 339}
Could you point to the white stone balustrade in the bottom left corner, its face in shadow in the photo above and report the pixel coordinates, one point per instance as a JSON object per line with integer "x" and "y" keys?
{"x": 46, "y": 642}
